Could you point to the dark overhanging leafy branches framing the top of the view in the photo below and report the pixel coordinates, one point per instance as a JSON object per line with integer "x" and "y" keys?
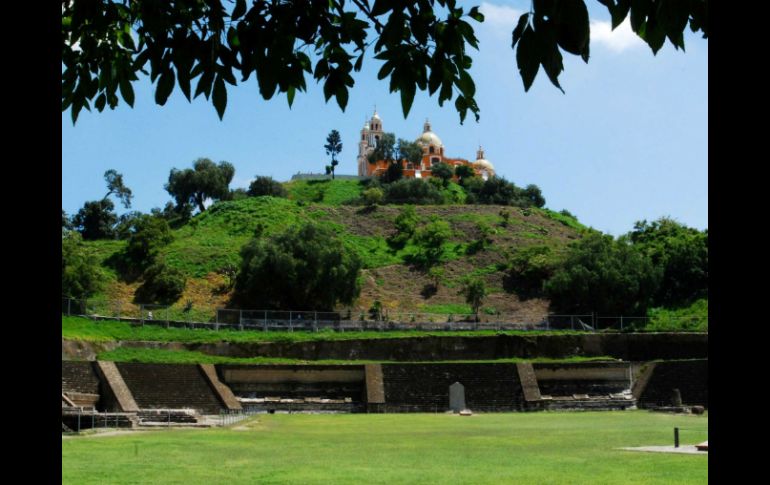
{"x": 105, "y": 45}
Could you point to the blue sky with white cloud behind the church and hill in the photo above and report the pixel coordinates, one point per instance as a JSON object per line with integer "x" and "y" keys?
{"x": 628, "y": 140}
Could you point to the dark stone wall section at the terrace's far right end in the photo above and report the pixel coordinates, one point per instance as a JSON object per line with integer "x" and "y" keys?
{"x": 689, "y": 376}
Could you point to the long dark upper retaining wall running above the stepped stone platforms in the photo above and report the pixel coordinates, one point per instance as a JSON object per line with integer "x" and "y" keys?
{"x": 630, "y": 347}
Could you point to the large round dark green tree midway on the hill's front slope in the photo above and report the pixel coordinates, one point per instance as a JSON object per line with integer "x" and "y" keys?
{"x": 304, "y": 268}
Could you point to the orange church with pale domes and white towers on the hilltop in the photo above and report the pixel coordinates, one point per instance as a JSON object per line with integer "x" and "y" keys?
{"x": 432, "y": 153}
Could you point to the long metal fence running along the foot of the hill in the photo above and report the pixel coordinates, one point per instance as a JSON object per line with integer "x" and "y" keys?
{"x": 179, "y": 315}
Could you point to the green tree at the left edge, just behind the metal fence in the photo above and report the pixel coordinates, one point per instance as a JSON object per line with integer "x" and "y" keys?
{"x": 81, "y": 276}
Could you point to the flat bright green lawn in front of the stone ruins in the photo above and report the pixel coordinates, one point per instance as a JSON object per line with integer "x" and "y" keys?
{"x": 520, "y": 448}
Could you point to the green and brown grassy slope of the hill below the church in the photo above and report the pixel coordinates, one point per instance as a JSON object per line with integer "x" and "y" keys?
{"x": 213, "y": 239}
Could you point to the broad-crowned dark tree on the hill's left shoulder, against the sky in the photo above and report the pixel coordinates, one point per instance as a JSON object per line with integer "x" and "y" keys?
{"x": 205, "y": 180}
